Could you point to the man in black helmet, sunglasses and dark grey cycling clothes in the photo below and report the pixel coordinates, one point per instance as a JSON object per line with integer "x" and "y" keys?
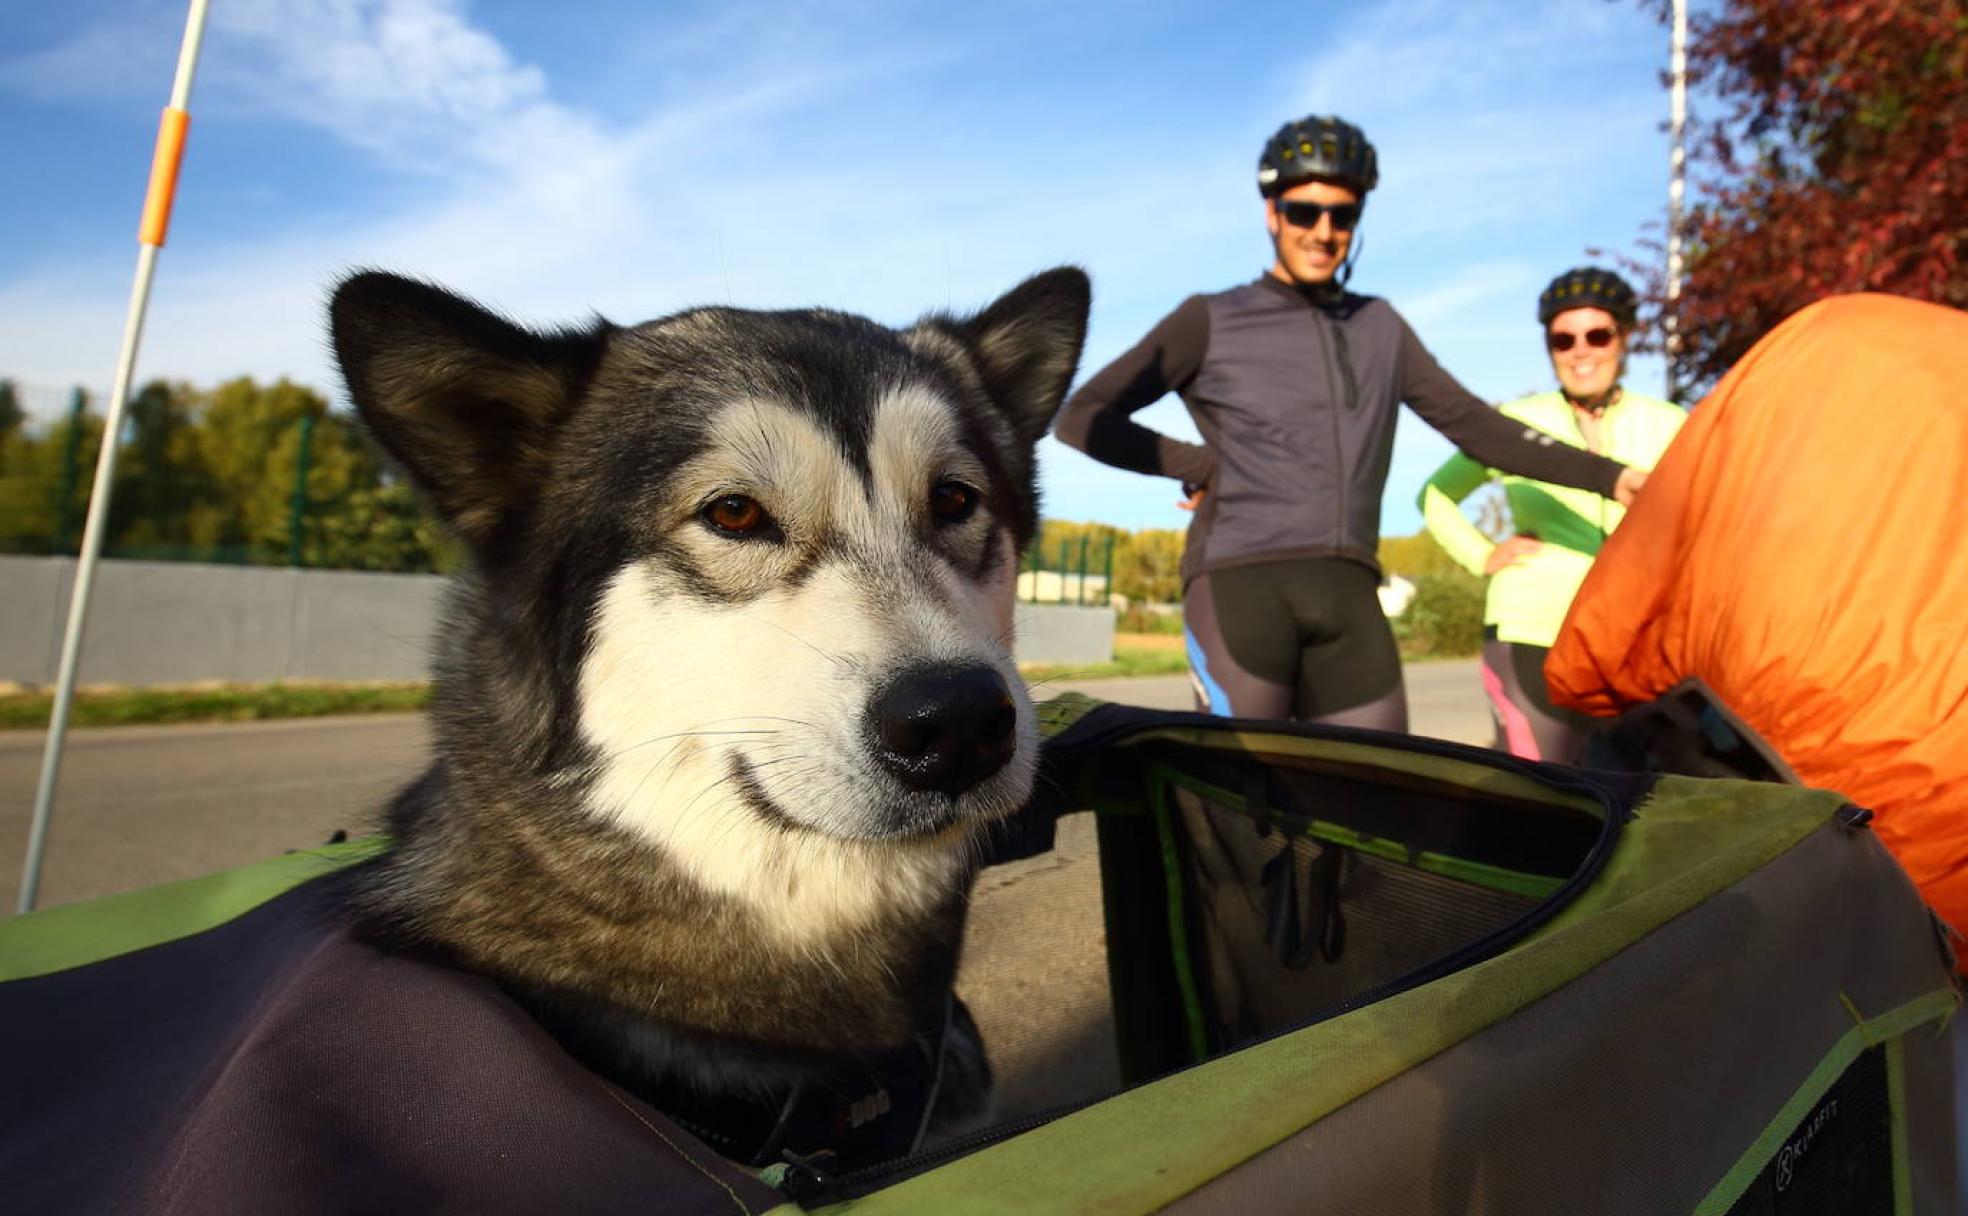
{"x": 1294, "y": 383}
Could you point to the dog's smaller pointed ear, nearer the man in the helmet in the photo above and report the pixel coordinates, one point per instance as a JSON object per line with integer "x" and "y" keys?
{"x": 1028, "y": 345}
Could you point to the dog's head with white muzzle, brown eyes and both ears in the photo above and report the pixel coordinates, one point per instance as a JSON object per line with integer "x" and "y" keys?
{"x": 753, "y": 572}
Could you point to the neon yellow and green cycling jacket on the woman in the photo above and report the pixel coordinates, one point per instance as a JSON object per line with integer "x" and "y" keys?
{"x": 1528, "y": 601}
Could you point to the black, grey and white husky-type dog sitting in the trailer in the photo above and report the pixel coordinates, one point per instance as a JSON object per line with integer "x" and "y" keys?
{"x": 725, "y": 696}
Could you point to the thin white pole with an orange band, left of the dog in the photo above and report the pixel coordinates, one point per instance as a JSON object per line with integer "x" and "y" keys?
{"x": 151, "y": 239}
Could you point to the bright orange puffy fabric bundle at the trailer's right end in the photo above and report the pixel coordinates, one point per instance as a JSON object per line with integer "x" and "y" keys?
{"x": 1804, "y": 550}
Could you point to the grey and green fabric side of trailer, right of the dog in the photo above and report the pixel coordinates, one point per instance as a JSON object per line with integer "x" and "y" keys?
{"x": 1642, "y": 1052}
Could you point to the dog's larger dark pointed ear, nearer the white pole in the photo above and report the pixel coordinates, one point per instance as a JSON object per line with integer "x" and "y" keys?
{"x": 467, "y": 402}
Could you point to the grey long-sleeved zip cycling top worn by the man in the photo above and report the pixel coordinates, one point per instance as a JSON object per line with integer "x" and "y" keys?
{"x": 1296, "y": 402}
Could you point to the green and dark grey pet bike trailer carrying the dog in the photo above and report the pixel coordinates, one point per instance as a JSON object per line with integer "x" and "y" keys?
{"x": 1349, "y": 973}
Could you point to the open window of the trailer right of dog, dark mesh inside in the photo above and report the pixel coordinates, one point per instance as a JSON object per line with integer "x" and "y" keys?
{"x": 1292, "y": 884}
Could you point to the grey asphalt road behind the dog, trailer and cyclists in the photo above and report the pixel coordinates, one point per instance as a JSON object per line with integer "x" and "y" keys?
{"x": 154, "y": 804}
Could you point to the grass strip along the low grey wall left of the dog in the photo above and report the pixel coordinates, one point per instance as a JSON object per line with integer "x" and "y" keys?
{"x": 223, "y": 703}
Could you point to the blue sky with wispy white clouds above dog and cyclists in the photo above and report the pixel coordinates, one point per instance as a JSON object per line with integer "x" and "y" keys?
{"x": 881, "y": 156}
